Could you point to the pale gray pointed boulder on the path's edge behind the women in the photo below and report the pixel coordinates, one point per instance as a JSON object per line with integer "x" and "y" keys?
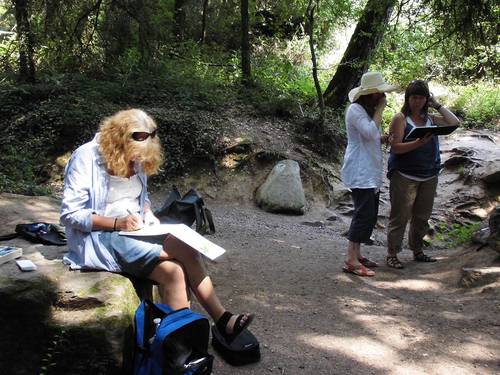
{"x": 282, "y": 191}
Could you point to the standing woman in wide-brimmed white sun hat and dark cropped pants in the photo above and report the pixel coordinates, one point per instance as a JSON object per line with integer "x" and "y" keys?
{"x": 363, "y": 164}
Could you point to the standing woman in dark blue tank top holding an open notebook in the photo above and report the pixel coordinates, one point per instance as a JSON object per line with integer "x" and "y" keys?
{"x": 413, "y": 171}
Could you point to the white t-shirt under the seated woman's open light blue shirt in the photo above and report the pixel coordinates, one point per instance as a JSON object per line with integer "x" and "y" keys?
{"x": 123, "y": 195}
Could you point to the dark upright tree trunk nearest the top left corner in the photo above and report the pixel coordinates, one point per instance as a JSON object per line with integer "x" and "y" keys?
{"x": 25, "y": 38}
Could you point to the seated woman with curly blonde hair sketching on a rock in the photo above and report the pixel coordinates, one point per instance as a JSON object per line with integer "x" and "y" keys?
{"x": 105, "y": 191}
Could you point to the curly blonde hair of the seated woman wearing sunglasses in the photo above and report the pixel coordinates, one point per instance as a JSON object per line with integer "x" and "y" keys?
{"x": 119, "y": 149}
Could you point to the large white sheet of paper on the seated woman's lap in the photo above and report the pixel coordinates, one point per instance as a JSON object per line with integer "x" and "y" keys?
{"x": 185, "y": 234}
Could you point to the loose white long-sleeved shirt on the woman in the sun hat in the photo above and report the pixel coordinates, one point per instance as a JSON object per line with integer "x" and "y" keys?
{"x": 363, "y": 159}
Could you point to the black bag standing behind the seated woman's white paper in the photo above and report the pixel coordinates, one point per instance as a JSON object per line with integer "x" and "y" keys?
{"x": 187, "y": 209}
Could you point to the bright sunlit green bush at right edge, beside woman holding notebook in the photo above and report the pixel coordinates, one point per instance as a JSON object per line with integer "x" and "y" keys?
{"x": 479, "y": 105}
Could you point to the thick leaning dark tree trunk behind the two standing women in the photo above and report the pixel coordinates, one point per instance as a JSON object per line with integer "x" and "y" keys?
{"x": 362, "y": 46}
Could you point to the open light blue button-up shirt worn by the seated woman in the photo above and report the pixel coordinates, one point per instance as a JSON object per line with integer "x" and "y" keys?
{"x": 86, "y": 184}
